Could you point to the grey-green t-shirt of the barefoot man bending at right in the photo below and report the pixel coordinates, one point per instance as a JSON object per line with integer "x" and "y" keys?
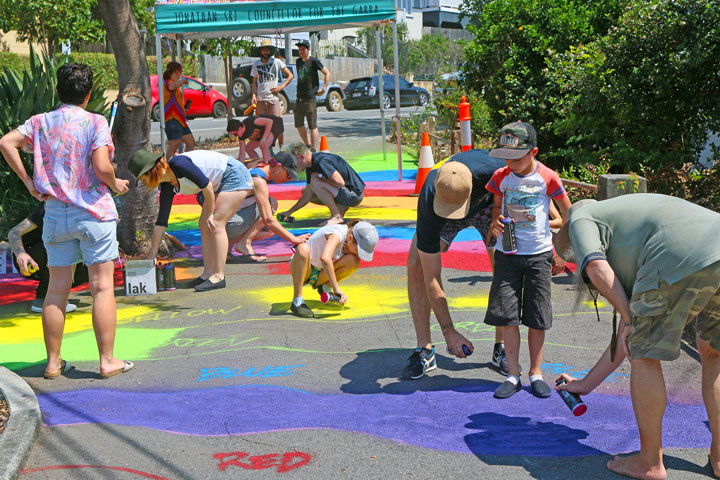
{"x": 646, "y": 237}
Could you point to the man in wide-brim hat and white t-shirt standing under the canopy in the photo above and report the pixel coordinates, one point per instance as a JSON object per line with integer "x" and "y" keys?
{"x": 266, "y": 75}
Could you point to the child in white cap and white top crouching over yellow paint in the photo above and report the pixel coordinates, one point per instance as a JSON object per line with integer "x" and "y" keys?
{"x": 331, "y": 255}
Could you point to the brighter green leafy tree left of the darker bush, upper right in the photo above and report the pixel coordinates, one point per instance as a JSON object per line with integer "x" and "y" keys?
{"x": 513, "y": 38}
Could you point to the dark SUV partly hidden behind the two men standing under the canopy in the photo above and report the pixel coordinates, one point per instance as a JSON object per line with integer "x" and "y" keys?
{"x": 242, "y": 91}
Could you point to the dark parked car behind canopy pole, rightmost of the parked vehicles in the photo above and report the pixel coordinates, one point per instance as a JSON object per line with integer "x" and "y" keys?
{"x": 363, "y": 93}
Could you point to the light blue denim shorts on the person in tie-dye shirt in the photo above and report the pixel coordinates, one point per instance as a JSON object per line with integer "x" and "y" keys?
{"x": 72, "y": 235}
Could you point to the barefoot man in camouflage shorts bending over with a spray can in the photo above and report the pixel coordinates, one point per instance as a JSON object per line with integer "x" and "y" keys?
{"x": 657, "y": 260}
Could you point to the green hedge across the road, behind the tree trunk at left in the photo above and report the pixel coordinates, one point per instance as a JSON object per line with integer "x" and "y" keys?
{"x": 104, "y": 62}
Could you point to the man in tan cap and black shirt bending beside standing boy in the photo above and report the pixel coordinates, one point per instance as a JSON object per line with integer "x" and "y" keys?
{"x": 453, "y": 198}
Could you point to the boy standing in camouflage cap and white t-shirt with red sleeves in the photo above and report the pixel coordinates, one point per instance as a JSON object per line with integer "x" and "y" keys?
{"x": 520, "y": 290}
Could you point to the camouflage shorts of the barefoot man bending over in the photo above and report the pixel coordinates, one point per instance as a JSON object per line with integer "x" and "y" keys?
{"x": 660, "y": 316}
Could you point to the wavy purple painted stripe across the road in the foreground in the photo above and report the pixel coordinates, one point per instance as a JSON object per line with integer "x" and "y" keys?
{"x": 464, "y": 420}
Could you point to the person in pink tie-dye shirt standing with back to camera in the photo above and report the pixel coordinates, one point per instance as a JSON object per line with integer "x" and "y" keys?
{"x": 73, "y": 174}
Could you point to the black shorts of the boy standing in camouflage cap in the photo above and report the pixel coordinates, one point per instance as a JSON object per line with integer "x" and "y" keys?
{"x": 520, "y": 291}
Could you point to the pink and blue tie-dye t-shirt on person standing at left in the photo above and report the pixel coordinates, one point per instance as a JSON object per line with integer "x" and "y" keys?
{"x": 62, "y": 142}
